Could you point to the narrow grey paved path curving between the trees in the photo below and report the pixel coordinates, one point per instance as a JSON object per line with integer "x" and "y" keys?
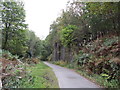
{"x": 70, "y": 79}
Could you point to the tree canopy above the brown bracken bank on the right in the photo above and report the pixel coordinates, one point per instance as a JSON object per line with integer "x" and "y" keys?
{"x": 81, "y": 23}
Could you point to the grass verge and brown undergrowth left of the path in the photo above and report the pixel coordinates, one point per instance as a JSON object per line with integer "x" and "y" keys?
{"x": 30, "y": 74}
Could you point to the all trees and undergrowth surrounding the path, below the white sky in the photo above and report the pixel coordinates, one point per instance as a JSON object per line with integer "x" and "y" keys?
{"x": 85, "y": 35}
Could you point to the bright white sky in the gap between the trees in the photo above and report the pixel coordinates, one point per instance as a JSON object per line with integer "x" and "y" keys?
{"x": 41, "y": 13}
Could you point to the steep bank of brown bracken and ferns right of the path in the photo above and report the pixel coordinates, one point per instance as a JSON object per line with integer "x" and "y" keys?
{"x": 99, "y": 61}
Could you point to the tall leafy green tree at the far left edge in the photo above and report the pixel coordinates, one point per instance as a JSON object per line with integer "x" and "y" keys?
{"x": 13, "y": 27}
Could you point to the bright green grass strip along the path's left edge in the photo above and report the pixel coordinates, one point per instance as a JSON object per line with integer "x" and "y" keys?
{"x": 40, "y": 76}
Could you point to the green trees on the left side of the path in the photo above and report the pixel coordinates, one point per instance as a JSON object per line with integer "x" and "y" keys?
{"x": 16, "y": 37}
